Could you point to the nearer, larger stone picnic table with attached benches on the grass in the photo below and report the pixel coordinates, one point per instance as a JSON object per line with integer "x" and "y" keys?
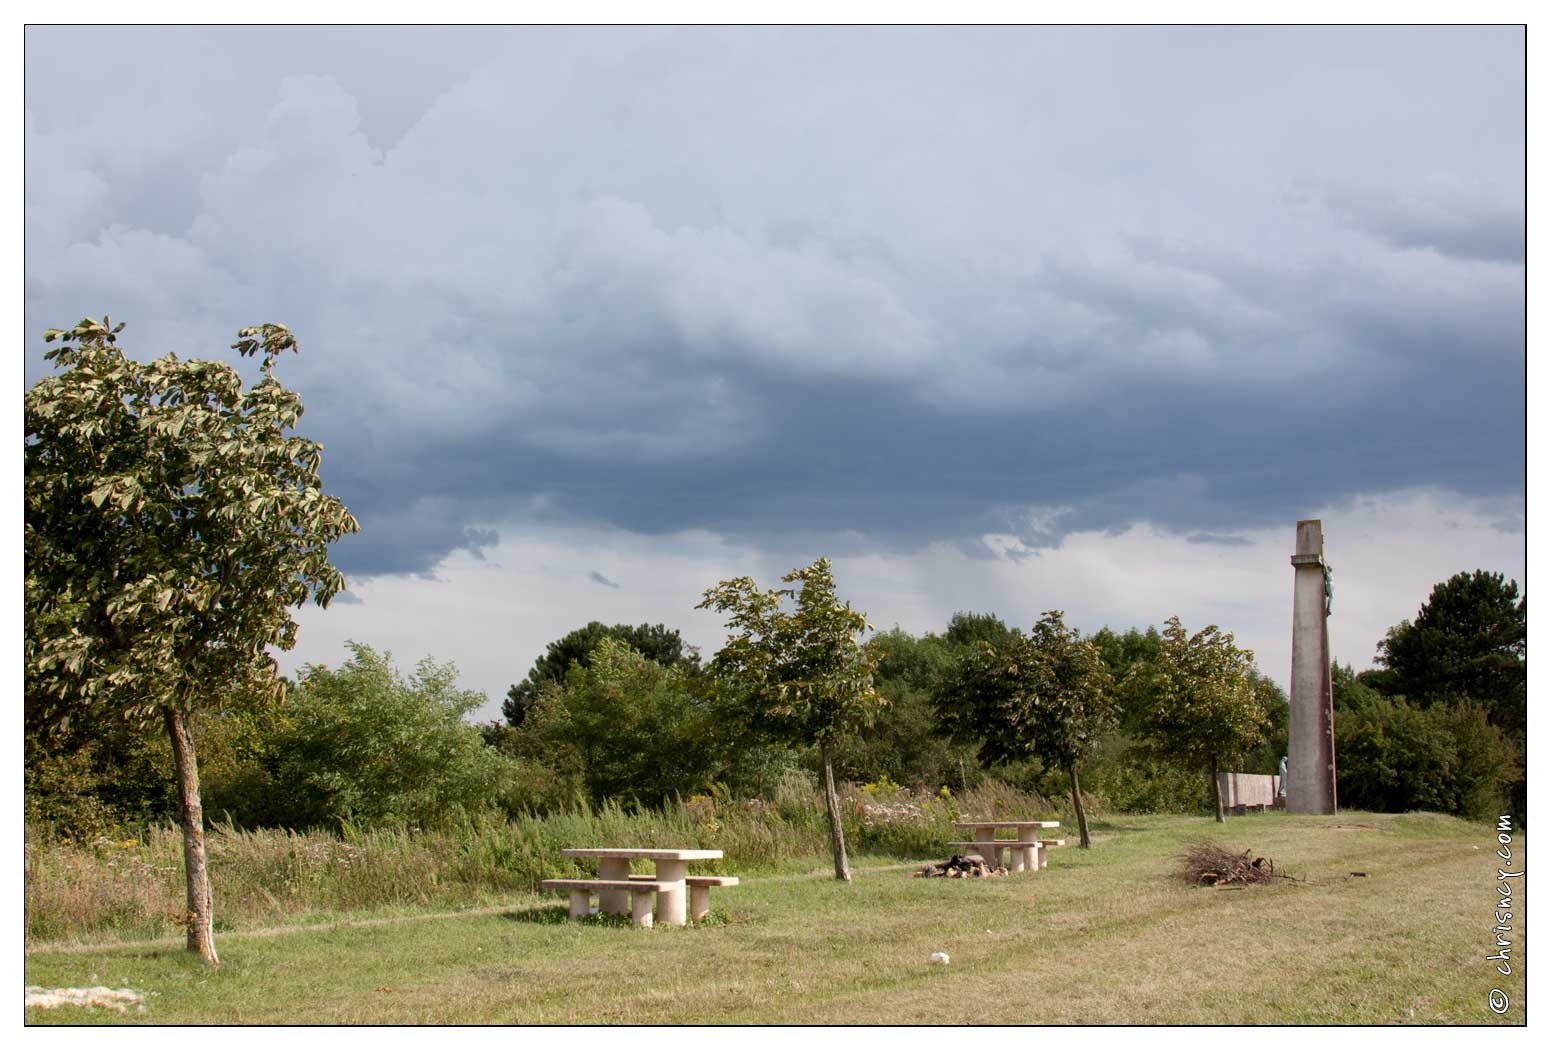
{"x": 621, "y": 894}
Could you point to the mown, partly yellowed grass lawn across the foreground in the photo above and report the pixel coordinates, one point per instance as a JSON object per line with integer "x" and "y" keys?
{"x": 1100, "y": 937}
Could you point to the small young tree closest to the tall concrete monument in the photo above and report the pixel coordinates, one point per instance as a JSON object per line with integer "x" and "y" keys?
{"x": 1198, "y": 701}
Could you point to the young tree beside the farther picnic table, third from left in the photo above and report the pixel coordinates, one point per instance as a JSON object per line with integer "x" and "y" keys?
{"x": 1045, "y": 695}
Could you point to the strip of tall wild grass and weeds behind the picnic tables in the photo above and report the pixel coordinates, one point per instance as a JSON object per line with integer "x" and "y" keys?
{"x": 133, "y": 887}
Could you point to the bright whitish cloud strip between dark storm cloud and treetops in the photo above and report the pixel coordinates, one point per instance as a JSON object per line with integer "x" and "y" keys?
{"x": 496, "y": 616}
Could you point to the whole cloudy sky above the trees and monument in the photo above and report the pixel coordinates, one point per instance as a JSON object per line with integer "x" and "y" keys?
{"x": 998, "y": 320}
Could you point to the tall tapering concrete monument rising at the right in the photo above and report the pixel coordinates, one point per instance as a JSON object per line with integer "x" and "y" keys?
{"x": 1311, "y": 723}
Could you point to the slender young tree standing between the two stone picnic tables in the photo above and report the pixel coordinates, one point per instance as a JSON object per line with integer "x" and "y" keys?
{"x": 803, "y": 675}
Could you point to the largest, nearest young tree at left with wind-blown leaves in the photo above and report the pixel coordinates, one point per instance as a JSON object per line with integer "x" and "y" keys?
{"x": 171, "y": 525}
